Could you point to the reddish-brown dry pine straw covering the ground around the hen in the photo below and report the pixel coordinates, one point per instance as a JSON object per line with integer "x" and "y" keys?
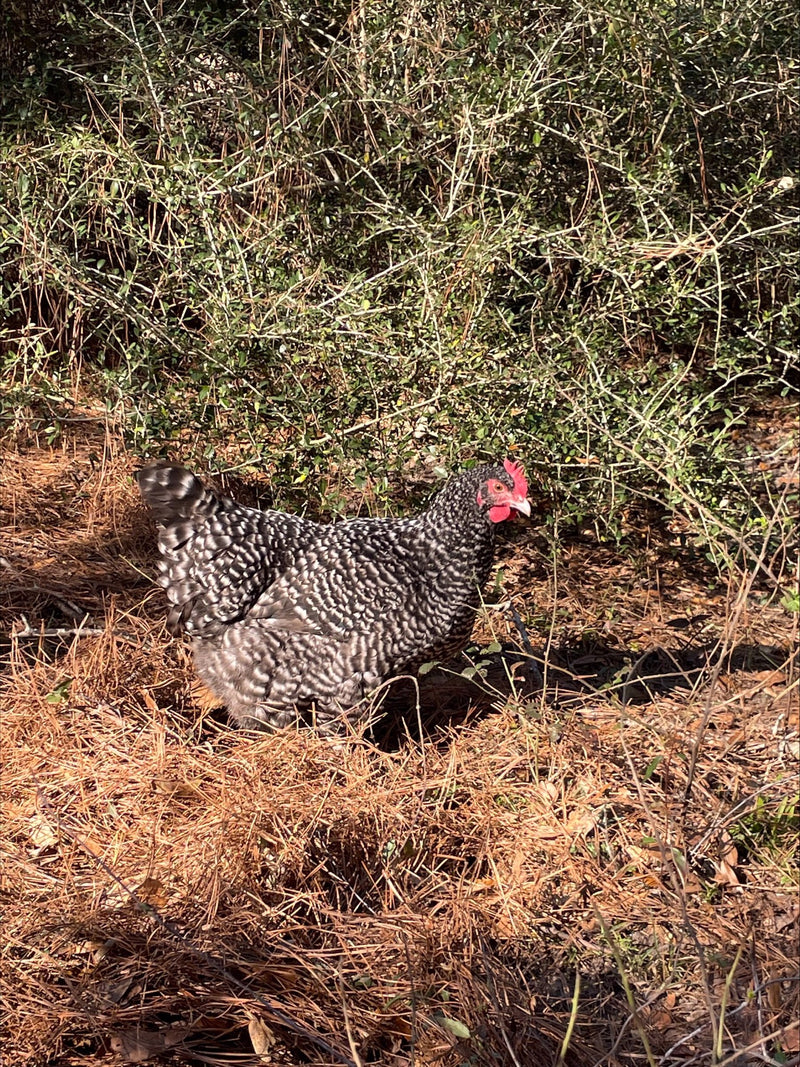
{"x": 174, "y": 888}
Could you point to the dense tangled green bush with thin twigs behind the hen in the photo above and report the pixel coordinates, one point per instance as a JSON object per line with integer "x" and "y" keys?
{"x": 339, "y": 236}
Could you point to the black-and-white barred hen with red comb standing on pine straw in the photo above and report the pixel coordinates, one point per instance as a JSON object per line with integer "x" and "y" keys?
{"x": 290, "y": 616}
